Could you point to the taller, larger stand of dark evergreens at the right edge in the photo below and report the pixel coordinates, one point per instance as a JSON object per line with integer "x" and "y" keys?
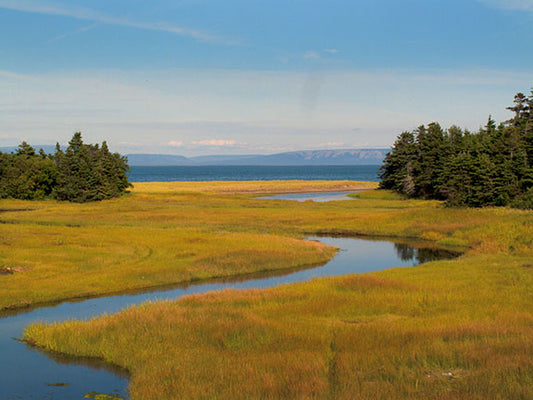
{"x": 491, "y": 167}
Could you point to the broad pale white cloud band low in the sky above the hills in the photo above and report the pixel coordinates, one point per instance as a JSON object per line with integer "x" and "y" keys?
{"x": 246, "y": 111}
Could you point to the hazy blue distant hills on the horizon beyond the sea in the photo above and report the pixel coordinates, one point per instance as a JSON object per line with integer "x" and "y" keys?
{"x": 294, "y": 158}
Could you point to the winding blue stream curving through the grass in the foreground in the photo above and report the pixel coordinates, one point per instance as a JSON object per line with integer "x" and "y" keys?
{"x": 27, "y": 373}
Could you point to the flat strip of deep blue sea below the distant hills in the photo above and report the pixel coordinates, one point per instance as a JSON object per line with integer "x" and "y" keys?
{"x": 255, "y": 173}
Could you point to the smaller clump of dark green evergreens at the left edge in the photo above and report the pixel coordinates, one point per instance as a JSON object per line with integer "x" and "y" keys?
{"x": 81, "y": 173}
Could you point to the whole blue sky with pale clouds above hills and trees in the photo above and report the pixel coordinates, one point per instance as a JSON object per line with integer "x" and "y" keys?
{"x": 196, "y": 77}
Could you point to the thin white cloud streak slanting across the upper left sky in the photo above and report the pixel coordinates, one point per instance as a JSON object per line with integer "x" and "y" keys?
{"x": 31, "y": 6}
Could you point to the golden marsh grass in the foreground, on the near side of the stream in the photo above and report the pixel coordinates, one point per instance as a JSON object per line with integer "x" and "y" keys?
{"x": 410, "y": 333}
